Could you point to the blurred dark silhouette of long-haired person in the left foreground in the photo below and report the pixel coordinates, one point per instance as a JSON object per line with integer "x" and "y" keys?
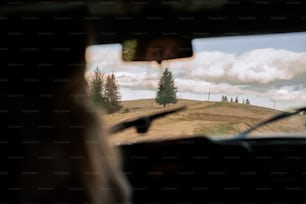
{"x": 53, "y": 144}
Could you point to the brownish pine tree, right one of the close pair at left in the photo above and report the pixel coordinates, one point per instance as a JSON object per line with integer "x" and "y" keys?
{"x": 112, "y": 94}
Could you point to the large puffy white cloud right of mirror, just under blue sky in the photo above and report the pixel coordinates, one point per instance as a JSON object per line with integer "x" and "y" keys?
{"x": 256, "y": 66}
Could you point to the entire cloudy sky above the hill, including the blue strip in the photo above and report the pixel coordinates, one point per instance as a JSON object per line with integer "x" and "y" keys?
{"x": 269, "y": 70}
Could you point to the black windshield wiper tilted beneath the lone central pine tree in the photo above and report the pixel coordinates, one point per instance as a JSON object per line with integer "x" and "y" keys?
{"x": 143, "y": 123}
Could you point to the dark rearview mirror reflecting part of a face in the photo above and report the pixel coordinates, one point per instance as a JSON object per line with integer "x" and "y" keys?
{"x": 156, "y": 49}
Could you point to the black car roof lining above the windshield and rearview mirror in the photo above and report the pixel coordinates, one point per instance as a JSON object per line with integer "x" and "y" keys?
{"x": 115, "y": 21}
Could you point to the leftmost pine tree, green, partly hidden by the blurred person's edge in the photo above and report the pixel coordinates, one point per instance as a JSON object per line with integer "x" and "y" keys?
{"x": 96, "y": 89}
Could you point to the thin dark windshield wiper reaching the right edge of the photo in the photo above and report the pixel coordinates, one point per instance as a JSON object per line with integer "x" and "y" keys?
{"x": 280, "y": 116}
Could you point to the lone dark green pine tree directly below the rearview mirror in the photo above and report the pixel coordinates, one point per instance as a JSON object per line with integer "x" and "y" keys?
{"x": 166, "y": 92}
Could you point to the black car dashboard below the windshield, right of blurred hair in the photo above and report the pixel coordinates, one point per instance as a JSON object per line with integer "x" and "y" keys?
{"x": 201, "y": 170}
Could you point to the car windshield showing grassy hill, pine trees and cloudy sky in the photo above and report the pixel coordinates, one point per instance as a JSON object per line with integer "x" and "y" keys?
{"x": 229, "y": 85}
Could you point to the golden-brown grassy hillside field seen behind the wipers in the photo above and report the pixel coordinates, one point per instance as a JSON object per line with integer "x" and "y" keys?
{"x": 200, "y": 118}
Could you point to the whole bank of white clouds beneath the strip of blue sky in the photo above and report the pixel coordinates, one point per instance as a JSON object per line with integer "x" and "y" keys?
{"x": 272, "y": 73}
